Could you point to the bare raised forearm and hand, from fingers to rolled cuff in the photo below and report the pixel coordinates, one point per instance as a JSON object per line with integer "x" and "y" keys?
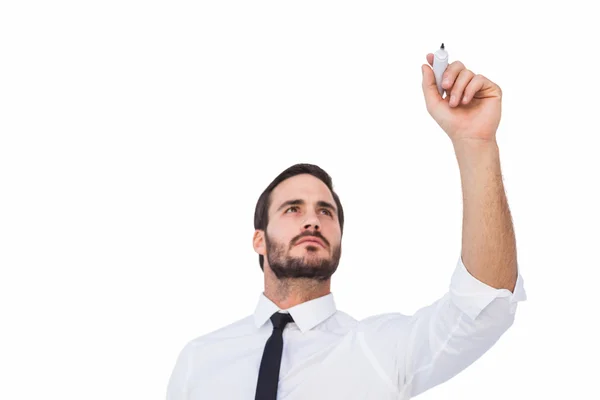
{"x": 470, "y": 115}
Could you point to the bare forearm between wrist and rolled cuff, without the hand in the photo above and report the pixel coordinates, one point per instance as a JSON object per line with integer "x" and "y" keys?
{"x": 488, "y": 239}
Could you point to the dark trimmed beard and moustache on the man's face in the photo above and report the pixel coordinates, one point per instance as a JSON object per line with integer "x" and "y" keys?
{"x": 310, "y": 266}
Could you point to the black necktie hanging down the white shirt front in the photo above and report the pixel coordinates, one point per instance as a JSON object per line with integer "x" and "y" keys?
{"x": 268, "y": 375}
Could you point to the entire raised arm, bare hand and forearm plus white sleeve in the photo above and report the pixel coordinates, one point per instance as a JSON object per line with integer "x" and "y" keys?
{"x": 415, "y": 353}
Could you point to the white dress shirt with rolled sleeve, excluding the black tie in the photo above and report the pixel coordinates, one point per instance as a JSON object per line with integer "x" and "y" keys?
{"x": 327, "y": 354}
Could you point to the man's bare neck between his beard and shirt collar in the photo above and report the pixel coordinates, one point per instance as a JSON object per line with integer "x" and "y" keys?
{"x": 286, "y": 293}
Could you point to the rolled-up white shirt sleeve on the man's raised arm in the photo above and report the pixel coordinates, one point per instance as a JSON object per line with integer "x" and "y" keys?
{"x": 447, "y": 336}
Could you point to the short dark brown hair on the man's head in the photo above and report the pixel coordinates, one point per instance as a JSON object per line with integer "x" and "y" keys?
{"x": 261, "y": 213}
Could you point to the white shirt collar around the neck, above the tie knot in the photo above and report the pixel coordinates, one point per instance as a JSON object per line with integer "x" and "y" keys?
{"x": 306, "y": 315}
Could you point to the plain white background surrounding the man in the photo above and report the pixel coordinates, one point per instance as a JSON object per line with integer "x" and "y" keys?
{"x": 136, "y": 137}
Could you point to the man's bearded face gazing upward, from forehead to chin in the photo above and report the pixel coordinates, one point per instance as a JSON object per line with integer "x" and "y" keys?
{"x": 302, "y": 208}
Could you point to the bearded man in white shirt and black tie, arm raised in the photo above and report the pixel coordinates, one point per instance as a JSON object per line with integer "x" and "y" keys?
{"x": 297, "y": 345}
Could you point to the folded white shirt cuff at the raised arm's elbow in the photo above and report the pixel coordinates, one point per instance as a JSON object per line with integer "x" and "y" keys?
{"x": 471, "y": 295}
